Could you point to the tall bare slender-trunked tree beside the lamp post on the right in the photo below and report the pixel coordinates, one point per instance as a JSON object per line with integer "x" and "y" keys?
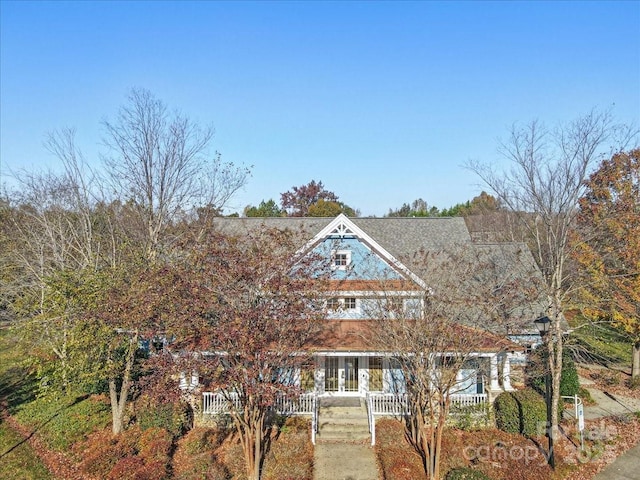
{"x": 542, "y": 188}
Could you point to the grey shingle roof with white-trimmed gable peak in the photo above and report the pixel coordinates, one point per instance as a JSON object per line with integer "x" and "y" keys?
{"x": 398, "y": 239}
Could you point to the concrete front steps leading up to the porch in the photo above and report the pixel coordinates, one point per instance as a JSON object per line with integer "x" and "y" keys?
{"x": 341, "y": 421}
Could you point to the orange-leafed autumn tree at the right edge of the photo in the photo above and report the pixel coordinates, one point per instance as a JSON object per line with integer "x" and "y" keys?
{"x": 609, "y": 248}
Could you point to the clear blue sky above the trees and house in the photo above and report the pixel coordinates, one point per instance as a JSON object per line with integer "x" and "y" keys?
{"x": 383, "y": 102}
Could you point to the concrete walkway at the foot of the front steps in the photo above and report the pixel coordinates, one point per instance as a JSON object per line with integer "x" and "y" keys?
{"x": 344, "y": 461}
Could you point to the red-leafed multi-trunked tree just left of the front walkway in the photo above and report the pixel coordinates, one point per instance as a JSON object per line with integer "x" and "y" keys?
{"x": 246, "y": 308}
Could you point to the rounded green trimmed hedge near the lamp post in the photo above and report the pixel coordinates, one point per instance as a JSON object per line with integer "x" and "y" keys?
{"x": 521, "y": 411}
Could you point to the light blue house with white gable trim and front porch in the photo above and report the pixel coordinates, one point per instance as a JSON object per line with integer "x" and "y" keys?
{"x": 363, "y": 251}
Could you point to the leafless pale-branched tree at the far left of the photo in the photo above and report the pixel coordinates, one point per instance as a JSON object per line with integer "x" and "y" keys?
{"x": 60, "y": 242}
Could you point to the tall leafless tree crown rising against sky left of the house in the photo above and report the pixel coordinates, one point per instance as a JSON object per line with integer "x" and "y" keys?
{"x": 159, "y": 162}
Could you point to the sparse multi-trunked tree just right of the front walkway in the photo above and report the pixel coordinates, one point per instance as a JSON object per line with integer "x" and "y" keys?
{"x": 436, "y": 331}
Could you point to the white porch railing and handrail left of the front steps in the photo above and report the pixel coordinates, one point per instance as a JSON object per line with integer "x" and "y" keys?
{"x": 217, "y": 403}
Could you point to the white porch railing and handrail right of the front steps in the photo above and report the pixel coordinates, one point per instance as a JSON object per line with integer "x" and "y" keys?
{"x": 396, "y": 404}
